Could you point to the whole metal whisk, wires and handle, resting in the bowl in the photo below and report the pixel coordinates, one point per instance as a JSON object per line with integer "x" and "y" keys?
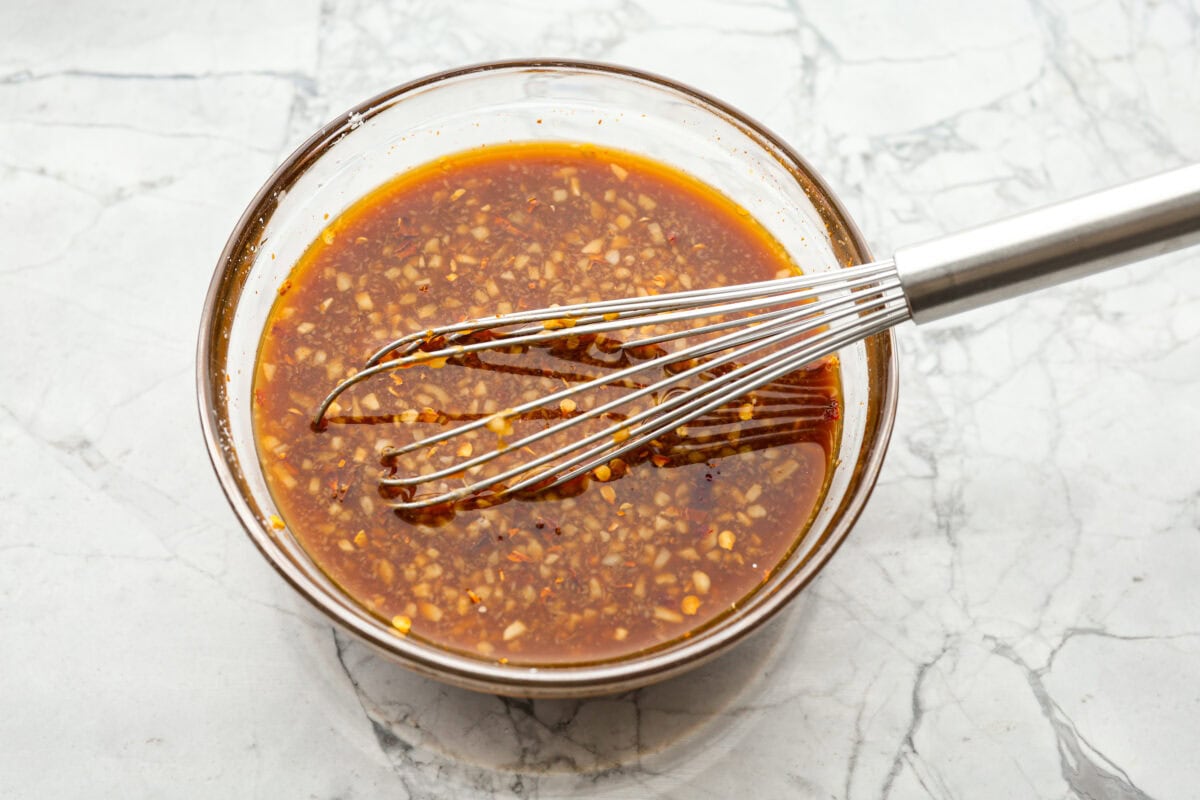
{"x": 764, "y": 332}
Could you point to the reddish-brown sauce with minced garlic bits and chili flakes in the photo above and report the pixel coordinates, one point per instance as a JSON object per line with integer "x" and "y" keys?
{"x": 662, "y": 545}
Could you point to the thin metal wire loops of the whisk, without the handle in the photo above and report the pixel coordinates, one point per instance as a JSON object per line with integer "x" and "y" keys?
{"x": 759, "y": 334}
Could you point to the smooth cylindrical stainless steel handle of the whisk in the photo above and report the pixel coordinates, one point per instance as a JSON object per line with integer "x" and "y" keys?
{"x": 1053, "y": 245}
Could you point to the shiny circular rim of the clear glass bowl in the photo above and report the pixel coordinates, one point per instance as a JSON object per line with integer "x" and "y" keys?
{"x": 464, "y": 671}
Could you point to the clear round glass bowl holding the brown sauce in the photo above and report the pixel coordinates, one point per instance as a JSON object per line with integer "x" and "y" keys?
{"x": 563, "y": 101}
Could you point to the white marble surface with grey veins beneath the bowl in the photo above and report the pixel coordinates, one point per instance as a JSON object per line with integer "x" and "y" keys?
{"x": 1016, "y": 616}
